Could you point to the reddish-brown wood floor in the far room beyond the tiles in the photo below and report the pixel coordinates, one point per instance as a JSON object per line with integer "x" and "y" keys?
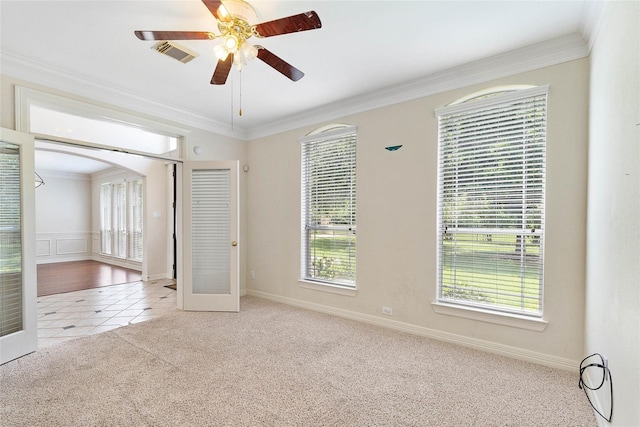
{"x": 63, "y": 277}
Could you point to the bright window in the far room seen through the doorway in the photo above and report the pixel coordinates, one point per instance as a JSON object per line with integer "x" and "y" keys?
{"x": 121, "y": 219}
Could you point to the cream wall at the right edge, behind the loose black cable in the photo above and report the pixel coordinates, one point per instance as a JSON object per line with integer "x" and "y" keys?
{"x": 613, "y": 262}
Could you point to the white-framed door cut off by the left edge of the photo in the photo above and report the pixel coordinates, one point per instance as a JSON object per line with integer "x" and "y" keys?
{"x": 18, "y": 286}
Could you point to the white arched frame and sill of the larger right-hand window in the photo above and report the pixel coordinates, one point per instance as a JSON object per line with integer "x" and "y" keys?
{"x": 459, "y": 306}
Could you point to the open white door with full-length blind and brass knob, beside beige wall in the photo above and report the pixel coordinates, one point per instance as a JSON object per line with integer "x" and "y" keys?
{"x": 210, "y": 236}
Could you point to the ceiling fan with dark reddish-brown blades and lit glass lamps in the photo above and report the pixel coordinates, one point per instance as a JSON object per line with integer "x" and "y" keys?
{"x": 233, "y": 23}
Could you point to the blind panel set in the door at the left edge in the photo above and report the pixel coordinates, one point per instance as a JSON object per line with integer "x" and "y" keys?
{"x": 10, "y": 240}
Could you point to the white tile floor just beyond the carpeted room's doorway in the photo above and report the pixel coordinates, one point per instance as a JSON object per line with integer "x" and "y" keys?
{"x": 63, "y": 317}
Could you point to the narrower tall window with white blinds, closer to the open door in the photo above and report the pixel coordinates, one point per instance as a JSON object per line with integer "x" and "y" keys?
{"x": 329, "y": 207}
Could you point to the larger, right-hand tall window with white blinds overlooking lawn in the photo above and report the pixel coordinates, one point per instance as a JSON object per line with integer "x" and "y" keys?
{"x": 491, "y": 183}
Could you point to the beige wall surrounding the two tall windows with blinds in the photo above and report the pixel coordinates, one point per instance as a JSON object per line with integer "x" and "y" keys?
{"x": 397, "y": 220}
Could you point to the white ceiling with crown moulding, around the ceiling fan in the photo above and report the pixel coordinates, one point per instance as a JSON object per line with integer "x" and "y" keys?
{"x": 366, "y": 54}
